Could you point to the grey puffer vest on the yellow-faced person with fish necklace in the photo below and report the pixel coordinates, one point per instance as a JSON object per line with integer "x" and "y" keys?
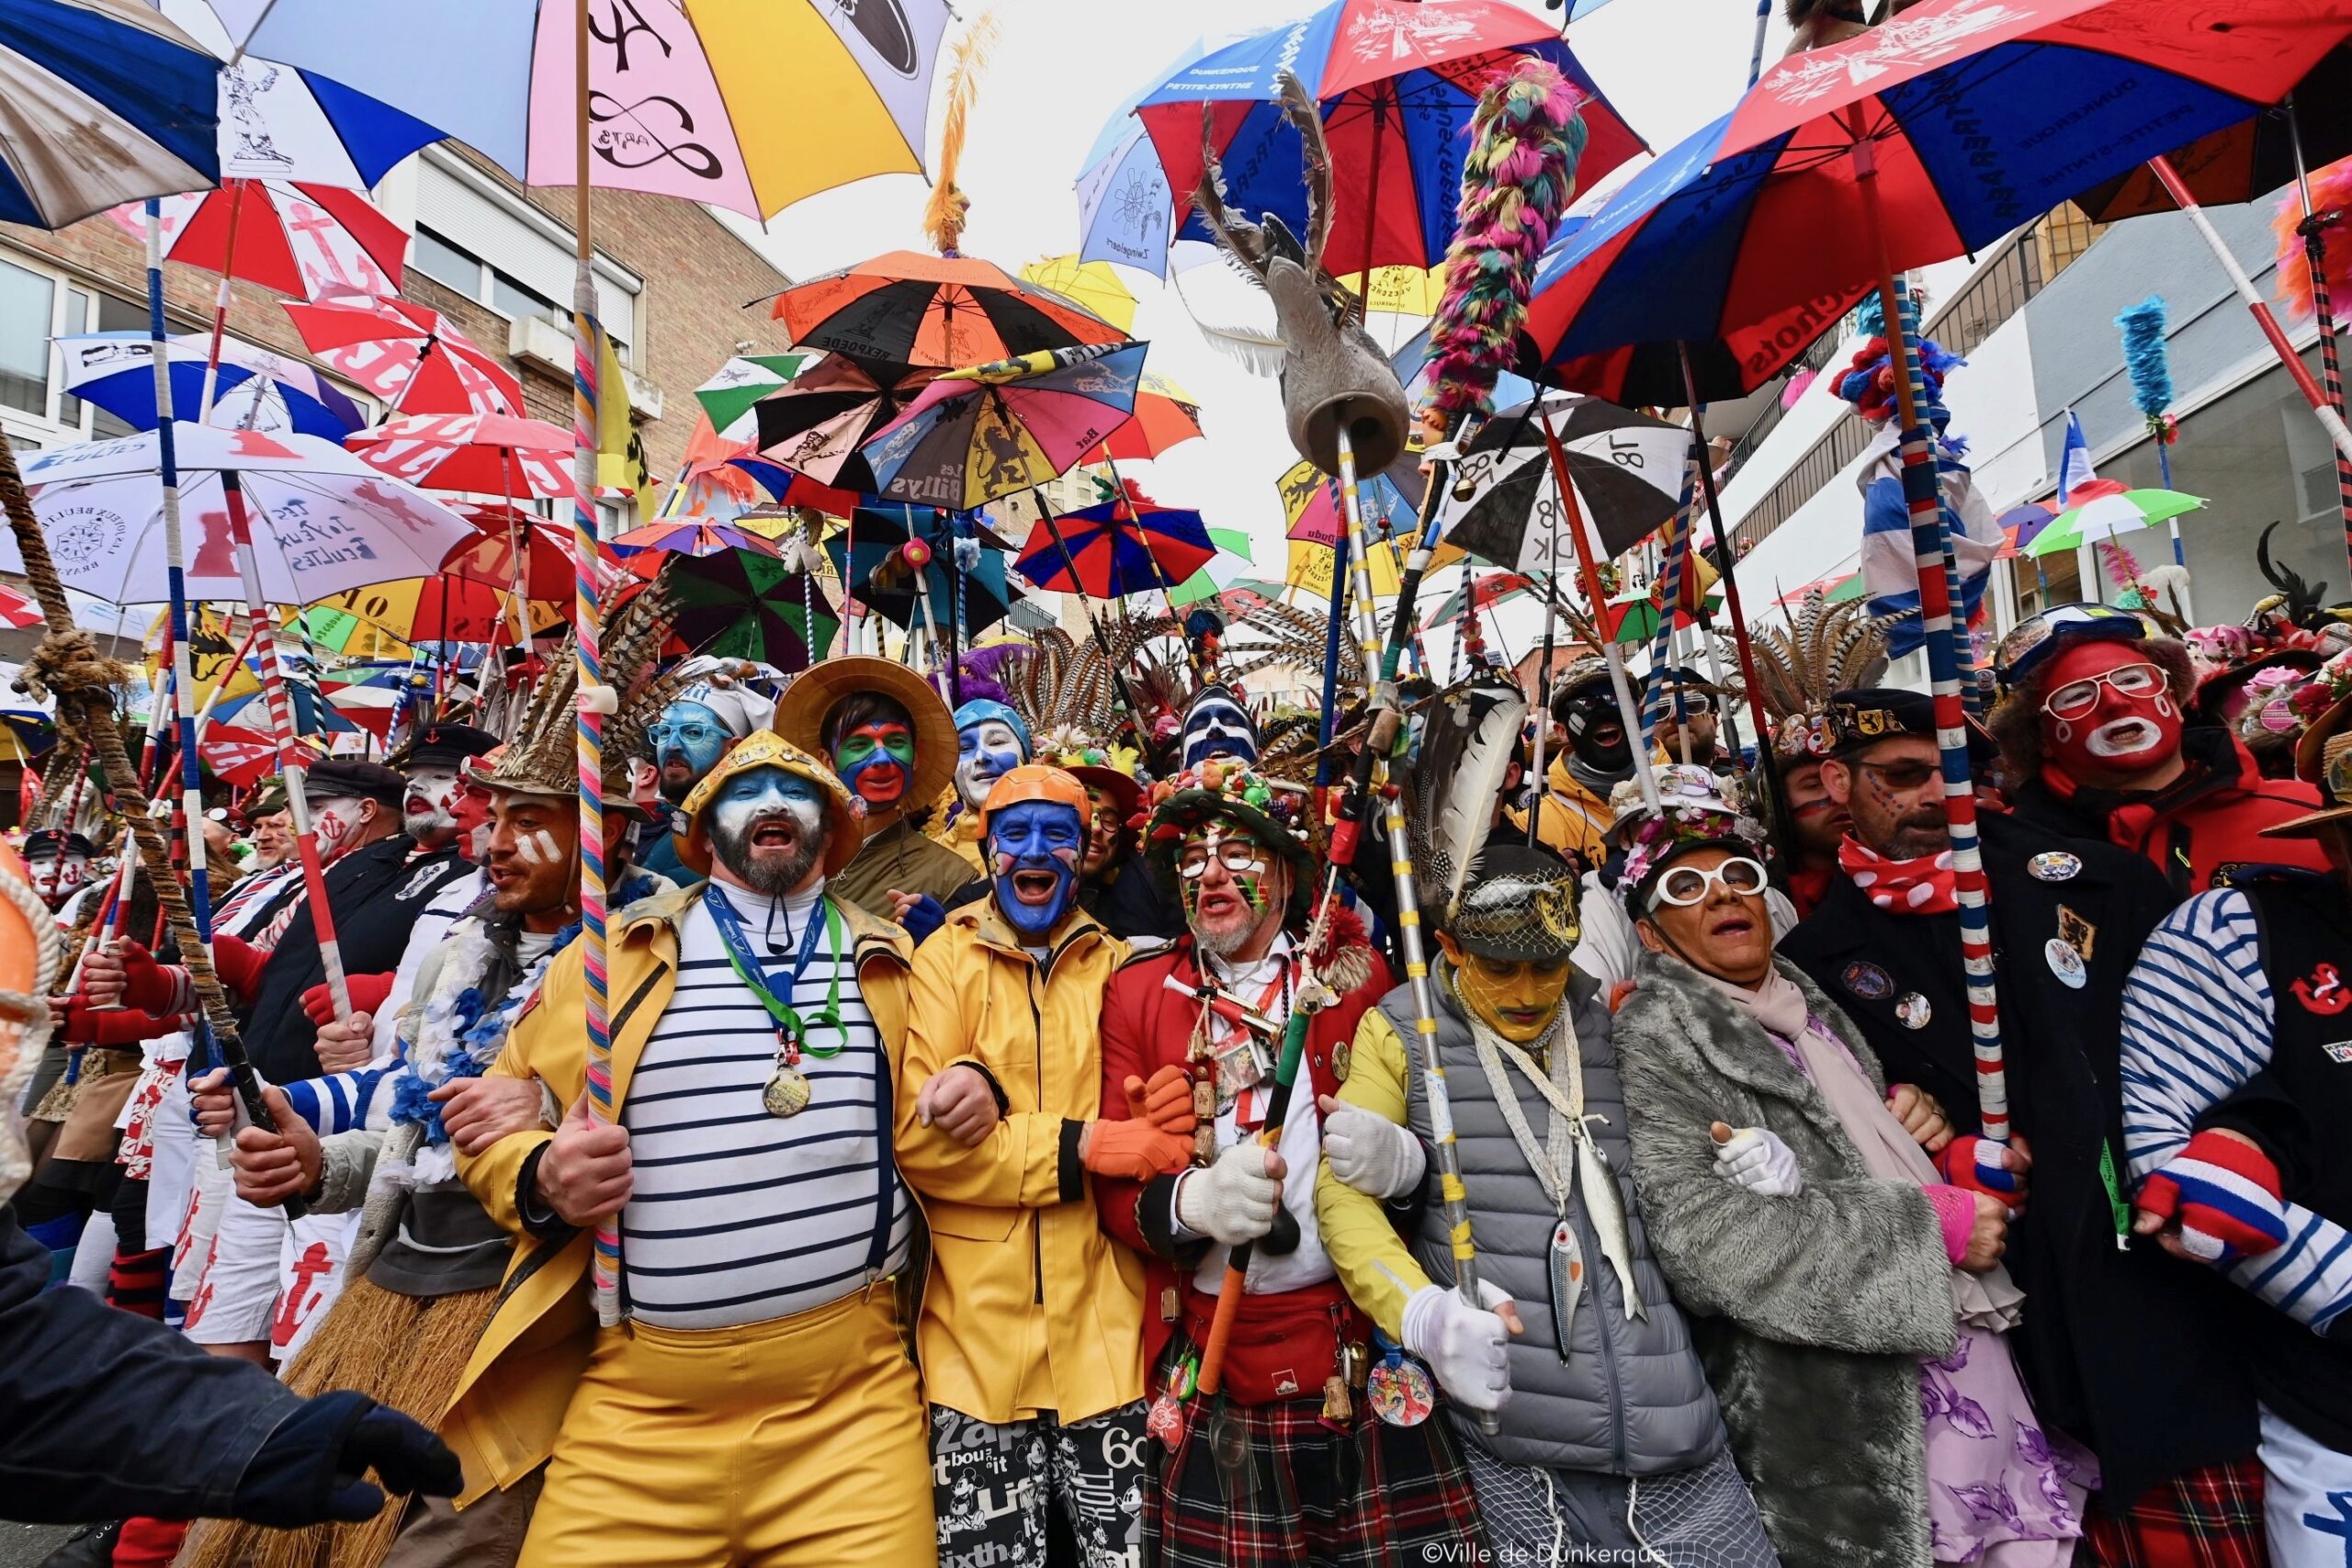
{"x": 1631, "y": 1398}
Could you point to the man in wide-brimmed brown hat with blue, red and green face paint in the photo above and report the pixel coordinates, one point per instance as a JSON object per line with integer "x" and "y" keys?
{"x": 893, "y": 744}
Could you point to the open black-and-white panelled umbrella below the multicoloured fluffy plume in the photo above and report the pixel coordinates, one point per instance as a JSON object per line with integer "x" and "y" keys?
{"x": 1626, "y": 471}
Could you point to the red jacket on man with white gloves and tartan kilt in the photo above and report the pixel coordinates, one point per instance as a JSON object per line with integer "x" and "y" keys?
{"x": 1147, "y": 1028}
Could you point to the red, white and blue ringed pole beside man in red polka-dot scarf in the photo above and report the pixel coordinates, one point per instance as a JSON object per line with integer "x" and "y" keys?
{"x": 1930, "y": 551}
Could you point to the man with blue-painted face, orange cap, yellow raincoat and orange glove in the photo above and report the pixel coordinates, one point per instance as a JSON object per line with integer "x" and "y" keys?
{"x": 1034, "y": 1320}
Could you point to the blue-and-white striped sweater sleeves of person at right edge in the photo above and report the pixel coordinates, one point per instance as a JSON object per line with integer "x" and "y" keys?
{"x": 2198, "y": 1026}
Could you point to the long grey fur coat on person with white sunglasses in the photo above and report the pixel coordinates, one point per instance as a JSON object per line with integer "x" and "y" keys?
{"x": 1812, "y": 1313}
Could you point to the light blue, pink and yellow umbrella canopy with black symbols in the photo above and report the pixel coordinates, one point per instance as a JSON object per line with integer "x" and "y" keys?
{"x": 686, "y": 95}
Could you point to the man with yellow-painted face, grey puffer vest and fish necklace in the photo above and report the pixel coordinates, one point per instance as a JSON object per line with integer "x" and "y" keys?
{"x": 1608, "y": 1430}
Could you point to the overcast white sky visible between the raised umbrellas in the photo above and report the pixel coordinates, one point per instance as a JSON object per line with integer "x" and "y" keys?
{"x": 1064, "y": 67}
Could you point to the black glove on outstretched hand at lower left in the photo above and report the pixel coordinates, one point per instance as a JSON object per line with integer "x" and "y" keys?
{"x": 314, "y": 1463}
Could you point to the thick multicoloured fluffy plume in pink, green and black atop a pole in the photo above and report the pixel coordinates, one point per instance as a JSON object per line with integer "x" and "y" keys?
{"x": 1518, "y": 180}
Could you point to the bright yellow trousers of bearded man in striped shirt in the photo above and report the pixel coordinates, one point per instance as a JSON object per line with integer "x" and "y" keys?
{"x": 787, "y": 1445}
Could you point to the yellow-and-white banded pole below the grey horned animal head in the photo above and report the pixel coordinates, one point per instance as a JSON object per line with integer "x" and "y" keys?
{"x": 1452, "y": 1198}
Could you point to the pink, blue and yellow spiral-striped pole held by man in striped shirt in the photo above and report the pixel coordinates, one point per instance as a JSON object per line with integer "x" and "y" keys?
{"x": 596, "y": 699}
